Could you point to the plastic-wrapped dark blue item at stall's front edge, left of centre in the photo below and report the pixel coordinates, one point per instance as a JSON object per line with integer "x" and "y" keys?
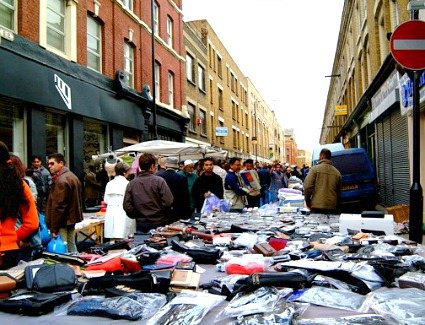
{"x": 134, "y": 306}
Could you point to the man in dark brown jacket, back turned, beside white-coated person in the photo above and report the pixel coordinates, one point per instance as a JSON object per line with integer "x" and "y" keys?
{"x": 147, "y": 197}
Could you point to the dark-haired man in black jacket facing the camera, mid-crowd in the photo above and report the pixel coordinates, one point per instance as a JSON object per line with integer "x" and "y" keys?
{"x": 207, "y": 183}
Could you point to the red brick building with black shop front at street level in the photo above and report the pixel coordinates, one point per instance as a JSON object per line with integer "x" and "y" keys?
{"x": 73, "y": 76}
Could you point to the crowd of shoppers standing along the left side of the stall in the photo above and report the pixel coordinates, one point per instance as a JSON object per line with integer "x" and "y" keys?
{"x": 161, "y": 192}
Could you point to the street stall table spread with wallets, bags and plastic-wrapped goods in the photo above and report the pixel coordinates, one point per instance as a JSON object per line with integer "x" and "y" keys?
{"x": 252, "y": 267}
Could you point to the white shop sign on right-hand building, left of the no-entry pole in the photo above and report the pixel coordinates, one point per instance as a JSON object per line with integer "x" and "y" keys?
{"x": 386, "y": 96}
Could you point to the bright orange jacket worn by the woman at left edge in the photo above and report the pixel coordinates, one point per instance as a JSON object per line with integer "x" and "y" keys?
{"x": 9, "y": 237}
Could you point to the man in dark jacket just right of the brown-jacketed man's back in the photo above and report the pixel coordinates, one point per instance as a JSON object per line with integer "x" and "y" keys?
{"x": 179, "y": 188}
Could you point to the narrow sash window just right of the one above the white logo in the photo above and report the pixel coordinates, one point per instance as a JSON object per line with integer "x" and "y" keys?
{"x": 94, "y": 44}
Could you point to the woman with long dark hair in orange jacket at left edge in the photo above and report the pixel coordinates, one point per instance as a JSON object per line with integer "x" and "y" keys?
{"x": 15, "y": 200}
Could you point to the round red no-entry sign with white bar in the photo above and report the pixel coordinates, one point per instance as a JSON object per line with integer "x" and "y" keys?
{"x": 408, "y": 44}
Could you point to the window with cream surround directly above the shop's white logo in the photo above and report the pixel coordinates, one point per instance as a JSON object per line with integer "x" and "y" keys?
{"x": 56, "y": 24}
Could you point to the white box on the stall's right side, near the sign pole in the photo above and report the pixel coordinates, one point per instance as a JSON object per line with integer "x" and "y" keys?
{"x": 357, "y": 223}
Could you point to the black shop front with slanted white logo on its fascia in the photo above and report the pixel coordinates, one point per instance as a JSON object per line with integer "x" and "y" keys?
{"x": 49, "y": 104}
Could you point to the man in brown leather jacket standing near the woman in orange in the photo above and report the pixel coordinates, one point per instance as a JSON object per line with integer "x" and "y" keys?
{"x": 64, "y": 206}
